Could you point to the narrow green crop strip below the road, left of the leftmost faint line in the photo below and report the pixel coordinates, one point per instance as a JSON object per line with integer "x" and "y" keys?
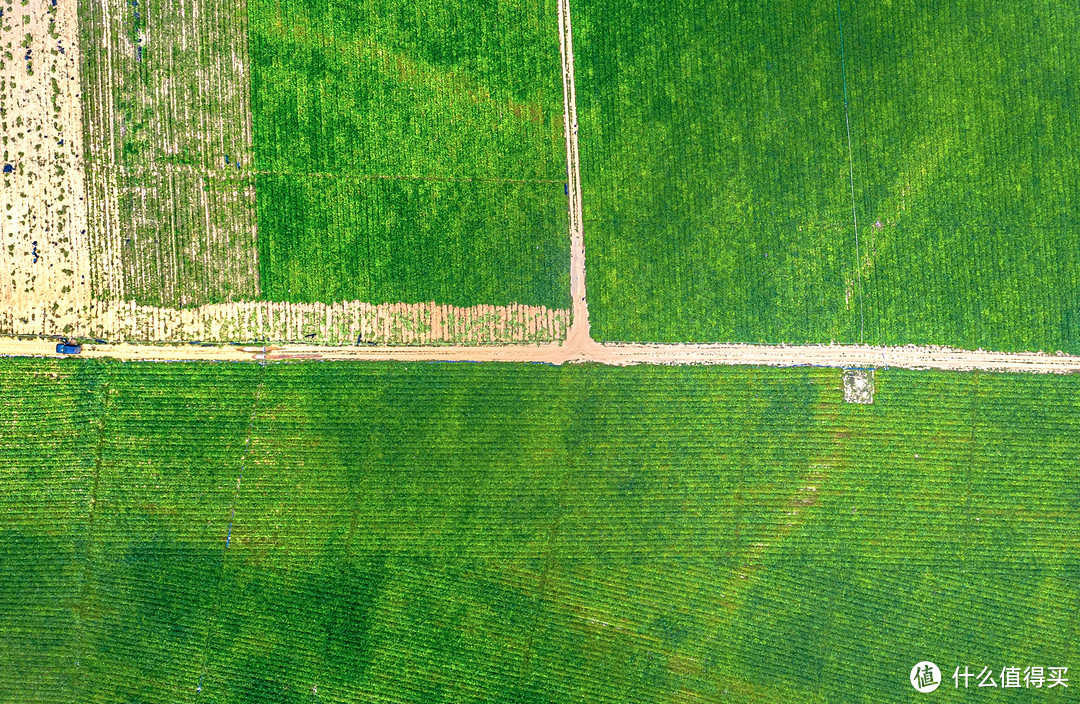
{"x": 50, "y": 419}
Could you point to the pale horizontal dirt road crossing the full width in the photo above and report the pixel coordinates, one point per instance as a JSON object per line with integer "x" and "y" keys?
{"x": 586, "y": 351}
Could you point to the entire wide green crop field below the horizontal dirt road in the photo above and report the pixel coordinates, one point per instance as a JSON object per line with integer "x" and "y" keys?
{"x": 528, "y": 534}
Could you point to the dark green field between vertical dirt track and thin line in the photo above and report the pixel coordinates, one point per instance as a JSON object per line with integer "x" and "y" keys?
{"x": 714, "y": 172}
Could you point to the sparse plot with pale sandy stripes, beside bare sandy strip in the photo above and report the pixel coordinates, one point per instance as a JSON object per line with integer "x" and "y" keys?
{"x": 168, "y": 131}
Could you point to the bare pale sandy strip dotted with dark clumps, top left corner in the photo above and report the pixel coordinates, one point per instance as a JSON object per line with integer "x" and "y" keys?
{"x": 44, "y": 268}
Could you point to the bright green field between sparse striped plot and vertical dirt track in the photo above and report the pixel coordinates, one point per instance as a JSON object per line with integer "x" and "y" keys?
{"x": 410, "y": 154}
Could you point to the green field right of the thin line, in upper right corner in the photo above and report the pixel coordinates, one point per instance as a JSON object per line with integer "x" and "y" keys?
{"x": 966, "y": 127}
